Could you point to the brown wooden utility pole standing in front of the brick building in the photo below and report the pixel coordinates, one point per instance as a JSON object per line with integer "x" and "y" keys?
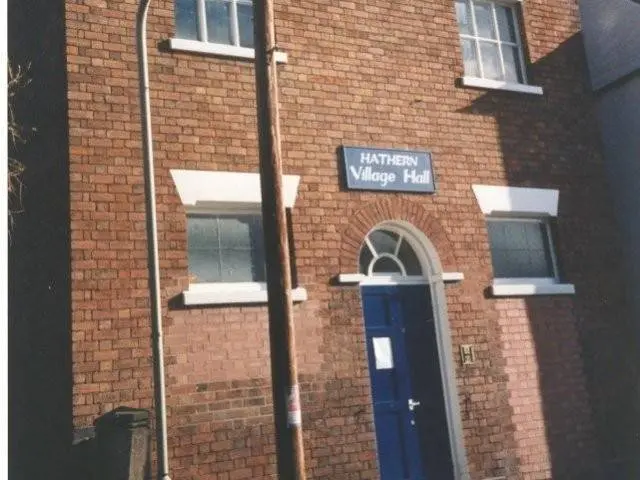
{"x": 284, "y": 374}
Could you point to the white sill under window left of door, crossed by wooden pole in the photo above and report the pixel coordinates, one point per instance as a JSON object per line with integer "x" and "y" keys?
{"x": 228, "y": 293}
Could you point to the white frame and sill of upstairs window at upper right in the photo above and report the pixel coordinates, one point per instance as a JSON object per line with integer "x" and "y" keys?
{"x": 482, "y": 81}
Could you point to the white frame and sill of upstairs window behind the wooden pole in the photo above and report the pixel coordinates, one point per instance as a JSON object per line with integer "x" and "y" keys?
{"x": 202, "y": 45}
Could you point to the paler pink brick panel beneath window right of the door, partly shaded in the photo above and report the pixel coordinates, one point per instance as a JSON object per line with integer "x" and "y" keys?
{"x": 547, "y": 392}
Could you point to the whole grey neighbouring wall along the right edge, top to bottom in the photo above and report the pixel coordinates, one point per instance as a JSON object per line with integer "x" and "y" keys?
{"x": 611, "y": 33}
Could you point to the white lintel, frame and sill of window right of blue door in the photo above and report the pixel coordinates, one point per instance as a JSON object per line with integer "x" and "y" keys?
{"x": 523, "y": 204}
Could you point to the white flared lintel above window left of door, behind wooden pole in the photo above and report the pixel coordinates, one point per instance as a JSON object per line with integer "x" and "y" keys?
{"x": 209, "y": 188}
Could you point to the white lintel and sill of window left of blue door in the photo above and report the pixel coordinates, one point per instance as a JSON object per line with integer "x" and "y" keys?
{"x": 208, "y": 192}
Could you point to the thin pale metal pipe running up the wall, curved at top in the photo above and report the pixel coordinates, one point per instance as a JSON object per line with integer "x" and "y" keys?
{"x": 152, "y": 244}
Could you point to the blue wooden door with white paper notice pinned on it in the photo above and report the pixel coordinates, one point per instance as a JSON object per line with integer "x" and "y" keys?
{"x": 408, "y": 404}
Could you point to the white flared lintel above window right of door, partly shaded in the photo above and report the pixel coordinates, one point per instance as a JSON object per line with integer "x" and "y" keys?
{"x": 517, "y": 200}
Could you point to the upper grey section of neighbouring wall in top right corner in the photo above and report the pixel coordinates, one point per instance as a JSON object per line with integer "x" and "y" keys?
{"x": 611, "y": 38}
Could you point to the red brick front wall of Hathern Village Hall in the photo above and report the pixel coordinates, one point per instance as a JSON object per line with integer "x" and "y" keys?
{"x": 545, "y": 395}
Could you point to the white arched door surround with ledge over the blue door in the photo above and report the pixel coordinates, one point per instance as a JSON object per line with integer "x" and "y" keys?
{"x": 435, "y": 278}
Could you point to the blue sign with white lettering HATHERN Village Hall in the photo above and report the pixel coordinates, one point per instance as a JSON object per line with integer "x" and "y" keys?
{"x": 389, "y": 170}
